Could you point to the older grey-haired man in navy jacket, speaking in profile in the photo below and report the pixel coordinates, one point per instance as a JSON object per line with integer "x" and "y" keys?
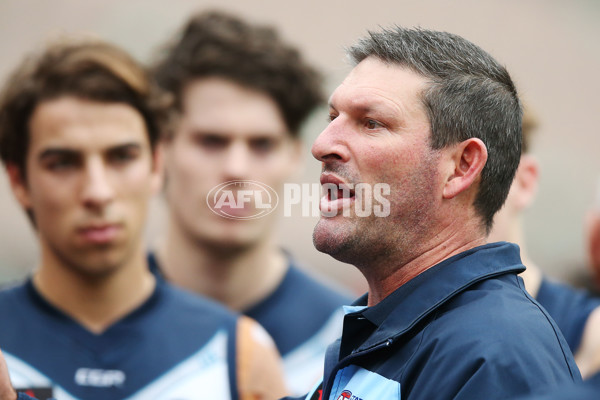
{"x": 446, "y": 317}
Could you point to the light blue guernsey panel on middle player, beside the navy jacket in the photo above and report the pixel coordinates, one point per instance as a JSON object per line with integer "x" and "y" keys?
{"x": 304, "y": 365}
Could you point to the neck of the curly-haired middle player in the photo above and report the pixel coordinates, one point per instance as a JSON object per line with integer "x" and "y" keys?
{"x": 236, "y": 277}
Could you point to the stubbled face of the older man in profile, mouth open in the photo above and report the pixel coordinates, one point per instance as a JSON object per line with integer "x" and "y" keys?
{"x": 379, "y": 133}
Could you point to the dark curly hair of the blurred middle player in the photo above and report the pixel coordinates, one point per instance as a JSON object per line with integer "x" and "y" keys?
{"x": 217, "y": 44}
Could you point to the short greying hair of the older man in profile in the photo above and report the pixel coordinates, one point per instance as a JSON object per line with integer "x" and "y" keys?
{"x": 470, "y": 95}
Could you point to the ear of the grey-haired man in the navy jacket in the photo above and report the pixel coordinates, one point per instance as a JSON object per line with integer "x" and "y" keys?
{"x": 467, "y": 159}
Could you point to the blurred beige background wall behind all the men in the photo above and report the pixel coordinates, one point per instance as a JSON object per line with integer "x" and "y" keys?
{"x": 551, "y": 47}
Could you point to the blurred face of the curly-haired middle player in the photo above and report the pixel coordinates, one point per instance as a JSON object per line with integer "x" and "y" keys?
{"x": 227, "y": 133}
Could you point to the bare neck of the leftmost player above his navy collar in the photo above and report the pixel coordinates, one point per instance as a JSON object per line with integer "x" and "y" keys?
{"x": 96, "y": 302}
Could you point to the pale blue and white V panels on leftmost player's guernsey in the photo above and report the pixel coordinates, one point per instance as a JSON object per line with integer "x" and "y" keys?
{"x": 204, "y": 372}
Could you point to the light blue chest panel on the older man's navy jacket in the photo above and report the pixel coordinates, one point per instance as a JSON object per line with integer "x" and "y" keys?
{"x": 356, "y": 383}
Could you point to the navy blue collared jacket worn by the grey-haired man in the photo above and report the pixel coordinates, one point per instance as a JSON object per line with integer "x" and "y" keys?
{"x": 464, "y": 329}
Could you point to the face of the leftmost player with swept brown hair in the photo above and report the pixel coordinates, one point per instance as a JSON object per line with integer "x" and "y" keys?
{"x": 90, "y": 175}
